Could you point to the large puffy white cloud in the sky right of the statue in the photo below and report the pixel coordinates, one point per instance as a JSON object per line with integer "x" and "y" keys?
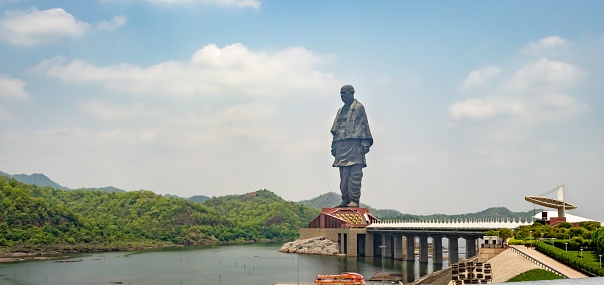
{"x": 536, "y": 94}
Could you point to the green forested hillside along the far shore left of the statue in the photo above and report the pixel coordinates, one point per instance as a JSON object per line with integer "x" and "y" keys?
{"x": 34, "y": 215}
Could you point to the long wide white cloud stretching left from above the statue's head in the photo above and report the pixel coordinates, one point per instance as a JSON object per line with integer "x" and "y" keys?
{"x": 233, "y": 69}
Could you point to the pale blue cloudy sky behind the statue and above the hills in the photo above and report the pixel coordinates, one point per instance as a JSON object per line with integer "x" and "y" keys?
{"x": 472, "y": 104}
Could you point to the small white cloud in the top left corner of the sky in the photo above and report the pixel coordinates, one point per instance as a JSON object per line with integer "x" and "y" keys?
{"x": 36, "y": 27}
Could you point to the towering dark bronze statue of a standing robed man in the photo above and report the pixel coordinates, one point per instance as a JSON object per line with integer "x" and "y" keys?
{"x": 351, "y": 141}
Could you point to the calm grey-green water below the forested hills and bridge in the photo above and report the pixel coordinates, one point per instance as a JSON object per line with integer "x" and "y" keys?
{"x": 255, "y": 264}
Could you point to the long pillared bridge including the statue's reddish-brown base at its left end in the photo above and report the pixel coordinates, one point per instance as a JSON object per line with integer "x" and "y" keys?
{"x": 358, "y": 233}
